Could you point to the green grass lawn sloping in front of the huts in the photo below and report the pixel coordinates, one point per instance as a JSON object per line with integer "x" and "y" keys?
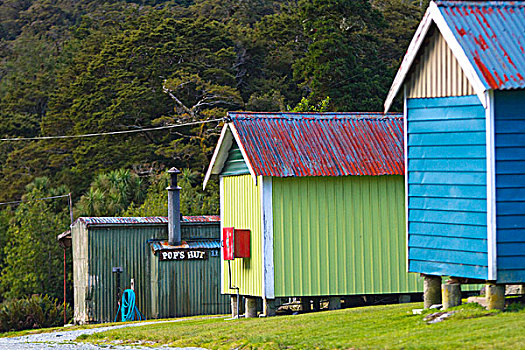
{"x": 391, "y": 327}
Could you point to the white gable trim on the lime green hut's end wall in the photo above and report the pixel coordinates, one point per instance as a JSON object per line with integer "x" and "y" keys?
{"x": 220, "y": 155}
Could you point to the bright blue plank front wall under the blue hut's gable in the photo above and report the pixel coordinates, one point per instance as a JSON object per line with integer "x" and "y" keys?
{"x": 446, "y": 172}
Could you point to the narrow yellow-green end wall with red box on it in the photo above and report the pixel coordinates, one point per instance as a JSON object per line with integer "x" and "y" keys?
{"x": 242, "y": 210}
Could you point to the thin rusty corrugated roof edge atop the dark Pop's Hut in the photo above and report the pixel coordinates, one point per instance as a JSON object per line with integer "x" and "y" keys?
{"x": 154, "y": 220}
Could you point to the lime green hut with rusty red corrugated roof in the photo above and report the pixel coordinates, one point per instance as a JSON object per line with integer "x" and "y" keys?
{"x": 322, "y": 196}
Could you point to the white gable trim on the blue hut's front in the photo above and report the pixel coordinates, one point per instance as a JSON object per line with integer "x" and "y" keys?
{"x": 433, "y": 15}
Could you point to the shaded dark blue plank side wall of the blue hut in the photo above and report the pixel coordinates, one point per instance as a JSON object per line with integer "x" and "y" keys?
{"x": 510, "y": 185}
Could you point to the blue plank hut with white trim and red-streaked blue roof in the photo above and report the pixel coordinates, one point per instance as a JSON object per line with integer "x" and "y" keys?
{"x": 464, "y": 104}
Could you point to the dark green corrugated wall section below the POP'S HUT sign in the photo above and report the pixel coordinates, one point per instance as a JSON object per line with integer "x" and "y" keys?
{"x": 174, "y": 294}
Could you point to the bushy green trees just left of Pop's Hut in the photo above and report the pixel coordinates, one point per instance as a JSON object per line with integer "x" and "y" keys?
{"x": 33, "y": 260}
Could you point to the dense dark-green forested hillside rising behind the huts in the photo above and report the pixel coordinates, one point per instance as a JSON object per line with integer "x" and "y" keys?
{"x": 71, "y": 67}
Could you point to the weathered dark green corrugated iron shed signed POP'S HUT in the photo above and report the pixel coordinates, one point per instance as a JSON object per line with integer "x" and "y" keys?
{"x": 163, "y": 289}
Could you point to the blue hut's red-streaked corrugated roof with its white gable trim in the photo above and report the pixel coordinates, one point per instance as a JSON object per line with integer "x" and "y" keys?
{"x": 486, "y": 37}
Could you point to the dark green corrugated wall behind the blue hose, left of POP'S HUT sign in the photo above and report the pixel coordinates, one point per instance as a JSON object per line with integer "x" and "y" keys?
{"x": 119, "y": 246}
